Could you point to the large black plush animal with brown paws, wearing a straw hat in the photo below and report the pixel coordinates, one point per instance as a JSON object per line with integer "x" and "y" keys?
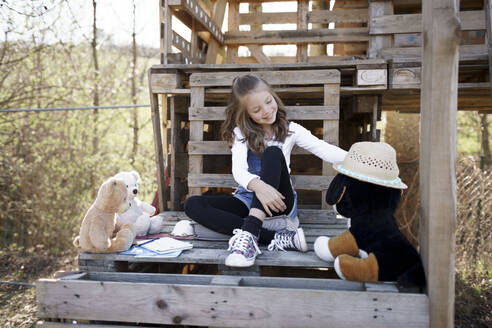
{"x": 367, "y": 190}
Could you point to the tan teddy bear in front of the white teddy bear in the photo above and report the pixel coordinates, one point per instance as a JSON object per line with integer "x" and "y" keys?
{"x": 100, "y": 231}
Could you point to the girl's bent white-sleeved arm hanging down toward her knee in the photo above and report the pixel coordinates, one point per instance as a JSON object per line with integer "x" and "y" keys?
{"x": 240, "y": 161}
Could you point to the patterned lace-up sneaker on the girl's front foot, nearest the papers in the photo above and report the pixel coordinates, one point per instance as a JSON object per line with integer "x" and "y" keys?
{"x": 244, "y": 249}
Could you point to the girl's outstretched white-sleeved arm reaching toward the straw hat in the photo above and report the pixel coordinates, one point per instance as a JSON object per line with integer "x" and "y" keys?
{"x": 320, "y": 148}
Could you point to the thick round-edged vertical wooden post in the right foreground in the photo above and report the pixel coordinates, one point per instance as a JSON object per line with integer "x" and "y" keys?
{"x": 441, "y": 37}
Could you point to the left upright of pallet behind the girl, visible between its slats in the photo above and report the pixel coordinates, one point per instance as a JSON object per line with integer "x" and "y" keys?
{"x": 196, "y": 134}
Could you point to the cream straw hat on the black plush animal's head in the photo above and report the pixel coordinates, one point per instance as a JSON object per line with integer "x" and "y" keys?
{"x": 373, "y": 162}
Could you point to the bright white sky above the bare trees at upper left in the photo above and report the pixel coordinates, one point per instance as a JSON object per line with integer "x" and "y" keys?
{"x": 71, "y": 20}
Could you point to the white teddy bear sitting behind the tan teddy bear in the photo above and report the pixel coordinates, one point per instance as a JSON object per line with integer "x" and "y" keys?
{"x": 139, "y": 212}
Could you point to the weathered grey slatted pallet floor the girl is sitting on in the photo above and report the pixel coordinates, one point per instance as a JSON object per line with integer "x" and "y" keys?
{"x": 212, "y": 251}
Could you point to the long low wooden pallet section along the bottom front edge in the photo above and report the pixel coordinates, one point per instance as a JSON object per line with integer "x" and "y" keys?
{"x": 113, "y": 299}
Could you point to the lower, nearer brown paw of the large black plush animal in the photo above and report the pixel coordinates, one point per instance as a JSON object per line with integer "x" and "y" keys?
{"x": 355, "y": 269}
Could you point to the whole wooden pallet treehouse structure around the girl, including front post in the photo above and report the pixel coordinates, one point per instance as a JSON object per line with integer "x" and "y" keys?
{"x": 350, "y": 62}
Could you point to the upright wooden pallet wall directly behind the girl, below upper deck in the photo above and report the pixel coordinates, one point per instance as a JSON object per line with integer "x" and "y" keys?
{"x": 197, "y": 95}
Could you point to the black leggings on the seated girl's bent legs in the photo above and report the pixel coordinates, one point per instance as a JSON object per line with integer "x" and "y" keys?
{"x": 224, "y": 213}
